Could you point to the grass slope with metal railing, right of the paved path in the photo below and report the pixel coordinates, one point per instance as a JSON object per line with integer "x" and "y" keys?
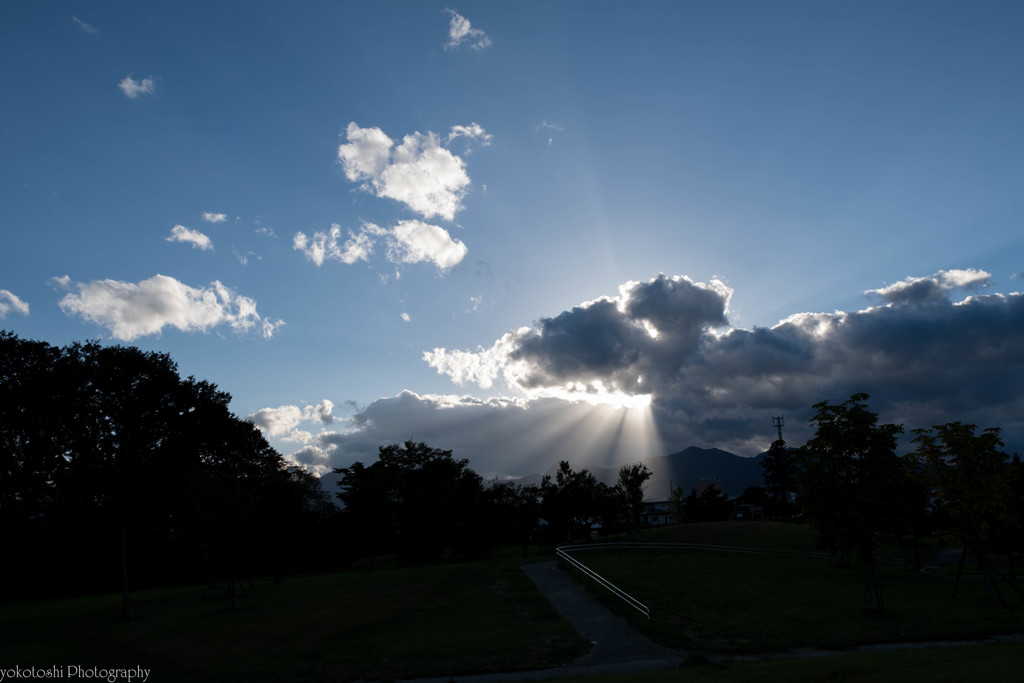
{"x": 750, "y": 604}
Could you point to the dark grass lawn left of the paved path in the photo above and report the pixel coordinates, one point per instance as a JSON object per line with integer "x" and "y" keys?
{"x": 456, "y": 619}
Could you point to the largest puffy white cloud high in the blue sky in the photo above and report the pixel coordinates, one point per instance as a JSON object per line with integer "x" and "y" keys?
{"x": 419, "y": 173}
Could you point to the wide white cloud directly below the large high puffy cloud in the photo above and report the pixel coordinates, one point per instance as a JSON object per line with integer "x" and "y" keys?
{"x": 409, "y": 242}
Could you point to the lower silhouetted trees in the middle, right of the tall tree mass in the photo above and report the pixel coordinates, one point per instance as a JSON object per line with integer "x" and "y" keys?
{"x": 419, "y": 503}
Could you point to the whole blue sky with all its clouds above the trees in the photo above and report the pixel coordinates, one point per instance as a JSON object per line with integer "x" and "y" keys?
{"x": 528, "y": 232}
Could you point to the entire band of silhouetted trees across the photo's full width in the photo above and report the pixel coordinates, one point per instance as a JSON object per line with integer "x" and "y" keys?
{"x": 112, "y": 464}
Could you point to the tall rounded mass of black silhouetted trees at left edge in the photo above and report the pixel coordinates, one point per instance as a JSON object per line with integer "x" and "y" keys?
{"x": 101, "y": 442}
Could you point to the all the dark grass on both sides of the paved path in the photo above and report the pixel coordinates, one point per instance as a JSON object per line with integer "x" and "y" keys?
{"x": 398, "y": 622}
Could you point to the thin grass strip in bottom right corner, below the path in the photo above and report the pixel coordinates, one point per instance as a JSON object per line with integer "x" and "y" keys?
{"x": 979, "y": 664}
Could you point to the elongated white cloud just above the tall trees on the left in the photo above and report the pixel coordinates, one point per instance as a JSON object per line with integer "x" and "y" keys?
{"x": 131, "y": 311}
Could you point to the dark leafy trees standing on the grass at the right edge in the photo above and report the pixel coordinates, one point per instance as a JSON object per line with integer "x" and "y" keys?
{"x": 848, "y": 483}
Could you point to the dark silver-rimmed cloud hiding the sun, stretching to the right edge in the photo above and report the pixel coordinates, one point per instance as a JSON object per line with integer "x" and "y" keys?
{"x": 925, "y": 357}
